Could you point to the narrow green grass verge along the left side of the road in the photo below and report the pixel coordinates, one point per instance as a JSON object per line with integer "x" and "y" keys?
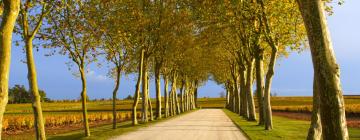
{"x": 105, "y": 132}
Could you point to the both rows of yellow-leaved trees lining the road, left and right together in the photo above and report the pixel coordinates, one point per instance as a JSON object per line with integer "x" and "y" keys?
{"x": 182, "y": 43}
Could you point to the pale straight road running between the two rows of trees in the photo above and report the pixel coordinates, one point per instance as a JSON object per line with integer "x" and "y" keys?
{"x": 204, "y": 124}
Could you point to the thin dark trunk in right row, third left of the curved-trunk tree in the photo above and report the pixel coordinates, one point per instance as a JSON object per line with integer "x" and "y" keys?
{"x": 243, "y": 107}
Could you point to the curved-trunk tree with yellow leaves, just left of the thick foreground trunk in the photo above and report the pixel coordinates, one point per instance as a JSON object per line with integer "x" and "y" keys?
{"x": 279, "y": 36}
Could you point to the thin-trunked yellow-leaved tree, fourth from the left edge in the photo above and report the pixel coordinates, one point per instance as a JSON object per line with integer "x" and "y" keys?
{"x": 114, "y": 39}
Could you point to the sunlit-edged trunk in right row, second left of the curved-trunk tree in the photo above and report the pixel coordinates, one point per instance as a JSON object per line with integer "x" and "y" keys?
{"x": 249, "y": 94}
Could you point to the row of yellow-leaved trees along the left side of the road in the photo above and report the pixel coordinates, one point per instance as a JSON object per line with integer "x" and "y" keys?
{"x": 127, "y": 34}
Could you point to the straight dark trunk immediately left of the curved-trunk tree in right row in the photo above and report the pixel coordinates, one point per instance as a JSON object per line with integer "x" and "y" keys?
{"x": 260, "y": 83}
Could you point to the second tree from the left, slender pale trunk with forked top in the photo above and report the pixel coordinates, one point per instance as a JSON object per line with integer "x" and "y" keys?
{"x": 30, "y": 23}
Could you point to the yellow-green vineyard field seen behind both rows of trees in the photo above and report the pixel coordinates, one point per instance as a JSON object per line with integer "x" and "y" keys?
{"x": 18, "y": 118}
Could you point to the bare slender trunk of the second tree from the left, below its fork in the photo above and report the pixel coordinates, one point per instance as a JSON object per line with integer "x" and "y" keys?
{"x": 33, "y": 84}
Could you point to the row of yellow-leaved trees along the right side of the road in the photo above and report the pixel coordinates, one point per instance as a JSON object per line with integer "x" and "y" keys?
{"x": 251, "y": 36}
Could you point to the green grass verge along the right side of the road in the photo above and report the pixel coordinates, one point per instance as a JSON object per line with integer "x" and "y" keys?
{"x": 284, "y": 128}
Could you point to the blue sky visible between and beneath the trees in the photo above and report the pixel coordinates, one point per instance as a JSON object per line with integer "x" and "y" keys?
{"x": 293, "y": 75}
